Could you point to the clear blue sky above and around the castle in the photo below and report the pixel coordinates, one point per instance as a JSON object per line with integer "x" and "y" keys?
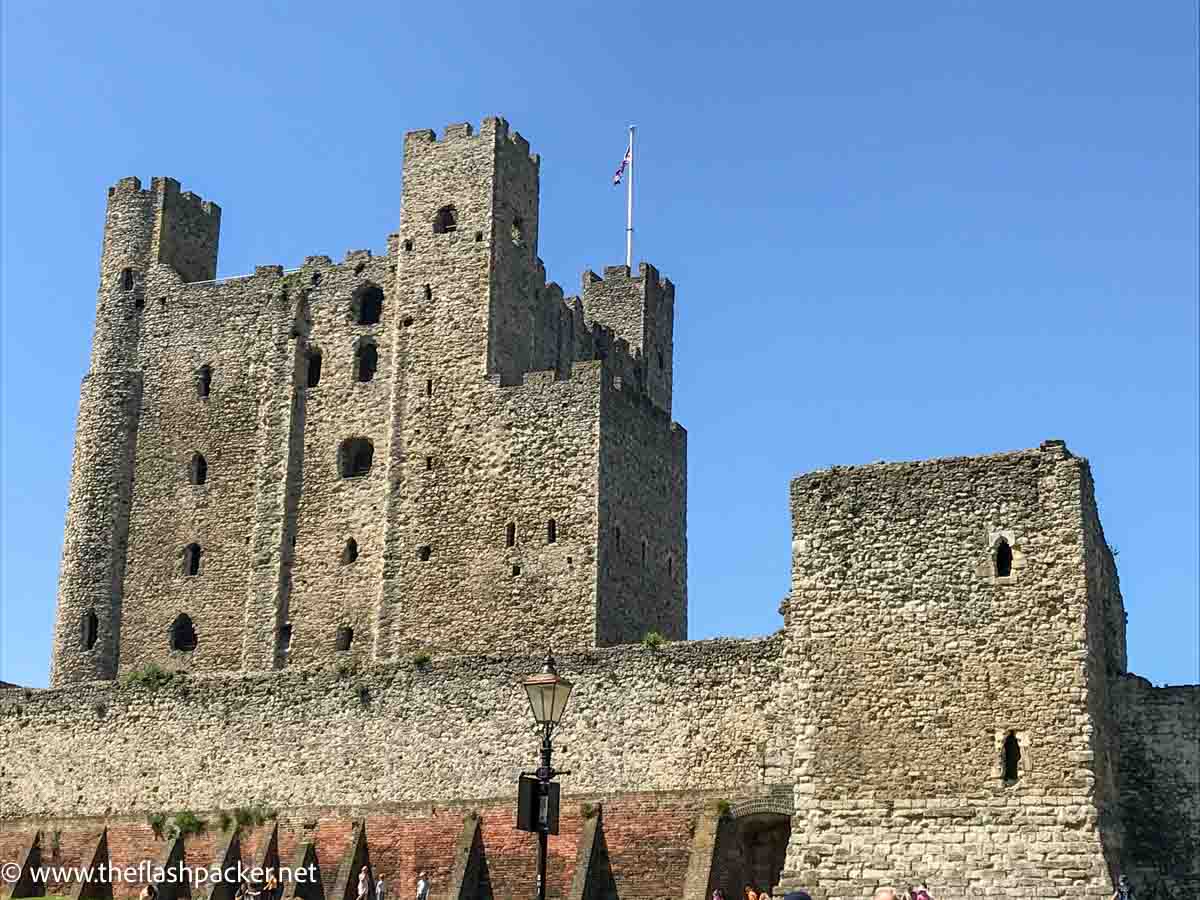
{"x": 898, "y": 231}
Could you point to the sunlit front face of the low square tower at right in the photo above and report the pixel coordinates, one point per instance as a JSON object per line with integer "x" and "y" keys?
{"x": 914, "y": 661}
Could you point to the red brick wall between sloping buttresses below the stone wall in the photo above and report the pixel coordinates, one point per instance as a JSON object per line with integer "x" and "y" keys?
{"x": 649, "y": 839}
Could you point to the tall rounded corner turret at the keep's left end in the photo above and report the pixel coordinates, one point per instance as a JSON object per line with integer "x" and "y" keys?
{"x": 142, "y": 230}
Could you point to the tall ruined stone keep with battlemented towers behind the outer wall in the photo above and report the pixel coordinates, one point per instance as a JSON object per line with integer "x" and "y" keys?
{"x": 430, "y": 451}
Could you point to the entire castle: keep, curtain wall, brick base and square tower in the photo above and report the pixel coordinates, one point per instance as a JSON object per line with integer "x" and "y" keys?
{"x": 346, "y": 507}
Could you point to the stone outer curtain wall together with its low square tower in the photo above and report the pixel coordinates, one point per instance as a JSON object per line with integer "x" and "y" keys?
{"x": 880, "y": 713}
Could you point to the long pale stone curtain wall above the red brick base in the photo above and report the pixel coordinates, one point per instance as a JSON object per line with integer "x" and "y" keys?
{"x": 687, "y": 717}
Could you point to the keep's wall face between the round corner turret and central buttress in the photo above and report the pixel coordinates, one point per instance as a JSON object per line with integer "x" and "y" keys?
{"x": 232, "y": 328}
